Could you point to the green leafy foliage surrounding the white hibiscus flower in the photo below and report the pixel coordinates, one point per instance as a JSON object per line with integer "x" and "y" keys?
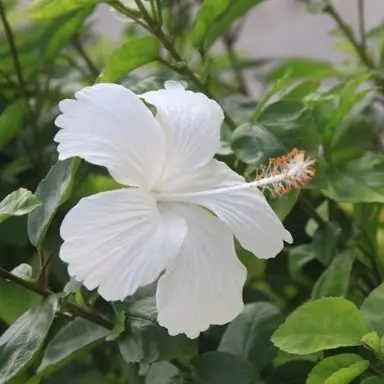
{"x": 314, "y": 314}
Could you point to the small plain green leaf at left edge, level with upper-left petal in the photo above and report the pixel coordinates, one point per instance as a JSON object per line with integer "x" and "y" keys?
{"x": 11, "y": 122}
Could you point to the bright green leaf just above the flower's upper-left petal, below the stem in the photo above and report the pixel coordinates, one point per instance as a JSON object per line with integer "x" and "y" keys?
{"x": 131, "y": 54}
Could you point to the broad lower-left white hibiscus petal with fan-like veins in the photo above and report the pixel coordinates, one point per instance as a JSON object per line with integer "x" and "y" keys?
{"x": 120, "y": 240}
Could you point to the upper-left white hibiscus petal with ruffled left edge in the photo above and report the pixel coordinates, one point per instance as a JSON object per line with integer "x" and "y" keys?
{"x": 109, "y": 125}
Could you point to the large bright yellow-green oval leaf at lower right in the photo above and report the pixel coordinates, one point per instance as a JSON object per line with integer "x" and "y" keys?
{"x": 338, "y": 324}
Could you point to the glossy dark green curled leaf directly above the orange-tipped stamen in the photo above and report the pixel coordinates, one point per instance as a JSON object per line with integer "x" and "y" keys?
{"x": 282, "y": 126}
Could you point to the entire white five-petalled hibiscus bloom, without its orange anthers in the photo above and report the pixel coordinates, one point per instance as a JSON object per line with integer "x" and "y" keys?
{"x": 176, "y": 219}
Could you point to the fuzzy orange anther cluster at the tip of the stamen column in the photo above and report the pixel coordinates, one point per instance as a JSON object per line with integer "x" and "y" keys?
{"x": 285, "y": 173}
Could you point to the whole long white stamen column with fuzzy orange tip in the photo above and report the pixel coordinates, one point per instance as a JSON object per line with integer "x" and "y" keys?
{"x": 281, "y": 175}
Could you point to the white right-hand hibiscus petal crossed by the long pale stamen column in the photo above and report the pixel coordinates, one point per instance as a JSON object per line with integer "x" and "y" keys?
{"x": 246, "y": 212}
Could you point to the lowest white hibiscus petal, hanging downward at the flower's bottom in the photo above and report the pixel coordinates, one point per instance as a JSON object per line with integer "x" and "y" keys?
{"x": 204, "y": 284}
